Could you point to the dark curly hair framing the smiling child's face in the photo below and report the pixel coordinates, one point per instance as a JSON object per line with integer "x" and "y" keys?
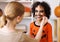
{"x": 46, "y": 7}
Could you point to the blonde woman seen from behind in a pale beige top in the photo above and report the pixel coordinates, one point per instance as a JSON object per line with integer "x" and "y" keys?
{"x": 14, "y": 12}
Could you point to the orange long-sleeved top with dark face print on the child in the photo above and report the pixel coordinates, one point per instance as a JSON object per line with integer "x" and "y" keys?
{"x": 46, "y": 34}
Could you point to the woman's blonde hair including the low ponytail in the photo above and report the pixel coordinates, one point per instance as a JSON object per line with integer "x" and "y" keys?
{"x": 11, "y": 11}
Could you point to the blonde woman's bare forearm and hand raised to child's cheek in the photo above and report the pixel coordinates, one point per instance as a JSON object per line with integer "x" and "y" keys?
{"x": 43, "y": 22}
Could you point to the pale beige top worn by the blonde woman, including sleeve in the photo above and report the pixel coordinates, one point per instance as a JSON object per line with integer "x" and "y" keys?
{"x": 16, "y": 36}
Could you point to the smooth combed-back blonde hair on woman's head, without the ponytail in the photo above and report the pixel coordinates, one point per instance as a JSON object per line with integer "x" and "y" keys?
{"x": 13, "y": 9}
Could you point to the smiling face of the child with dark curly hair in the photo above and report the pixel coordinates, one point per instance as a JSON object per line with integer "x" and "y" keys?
{"x": 39, "y": 12}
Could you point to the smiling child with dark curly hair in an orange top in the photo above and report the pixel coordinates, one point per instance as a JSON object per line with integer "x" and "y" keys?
{"x": 41, "y": 12}
